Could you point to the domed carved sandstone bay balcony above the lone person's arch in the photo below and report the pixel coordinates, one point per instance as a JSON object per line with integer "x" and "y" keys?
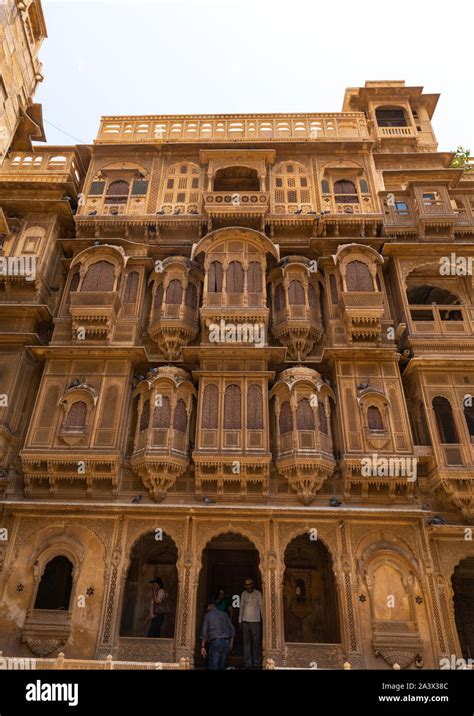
{"x": 161, "y": 447}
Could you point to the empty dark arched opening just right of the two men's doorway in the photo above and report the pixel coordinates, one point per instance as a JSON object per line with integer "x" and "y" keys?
{"x": 310, "y": 603}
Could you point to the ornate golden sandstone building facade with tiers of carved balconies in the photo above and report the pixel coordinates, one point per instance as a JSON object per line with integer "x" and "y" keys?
{"x": 247, "y": 351}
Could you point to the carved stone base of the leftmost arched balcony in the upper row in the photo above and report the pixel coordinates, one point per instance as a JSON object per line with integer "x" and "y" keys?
{"x": 94, "y": 312}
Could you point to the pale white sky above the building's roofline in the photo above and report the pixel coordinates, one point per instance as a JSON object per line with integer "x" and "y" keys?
{"x": 223, "y": 56}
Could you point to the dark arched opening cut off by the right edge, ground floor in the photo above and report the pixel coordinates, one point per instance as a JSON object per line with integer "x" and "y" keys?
{"x": 463, "y": 587}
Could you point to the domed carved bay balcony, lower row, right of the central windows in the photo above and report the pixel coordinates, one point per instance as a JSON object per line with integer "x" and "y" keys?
{"x": 304, "y": 441}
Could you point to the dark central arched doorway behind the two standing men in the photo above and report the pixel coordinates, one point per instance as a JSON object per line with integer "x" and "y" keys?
{"x": 227, "y": 561}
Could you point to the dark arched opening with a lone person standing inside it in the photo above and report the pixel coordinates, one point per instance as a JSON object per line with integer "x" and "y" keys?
{"x": 154, "y": 555}
